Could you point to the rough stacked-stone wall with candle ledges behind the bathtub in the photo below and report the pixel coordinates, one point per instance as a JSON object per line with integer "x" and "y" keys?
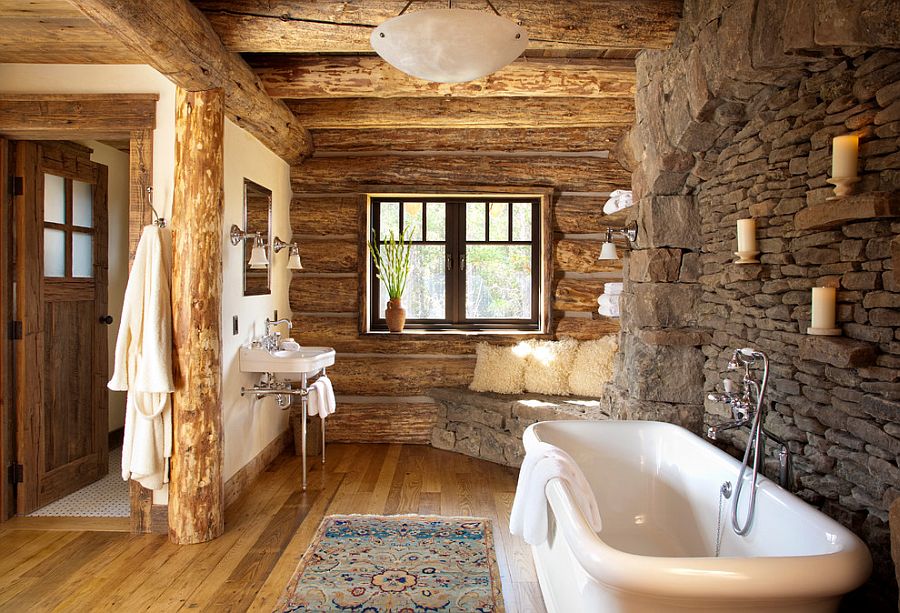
{"x": 736, "y": 121}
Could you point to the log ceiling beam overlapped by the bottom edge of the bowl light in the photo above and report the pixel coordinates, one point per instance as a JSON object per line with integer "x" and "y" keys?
{"x": 370, "y": 76}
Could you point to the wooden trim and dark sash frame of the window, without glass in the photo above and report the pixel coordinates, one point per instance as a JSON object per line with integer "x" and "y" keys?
{"x": 454, "y": 320}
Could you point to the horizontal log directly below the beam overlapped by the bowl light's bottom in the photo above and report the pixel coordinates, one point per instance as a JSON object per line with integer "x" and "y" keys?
{"x": 346, "y": 113}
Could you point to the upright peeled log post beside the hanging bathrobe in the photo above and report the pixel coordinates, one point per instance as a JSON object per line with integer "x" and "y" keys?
{"x": 196, "y": 496}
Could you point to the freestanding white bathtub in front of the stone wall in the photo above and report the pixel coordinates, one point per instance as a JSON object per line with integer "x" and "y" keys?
{"x": 657, "y": 486}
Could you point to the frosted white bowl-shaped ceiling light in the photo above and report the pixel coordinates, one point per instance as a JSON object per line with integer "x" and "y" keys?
{"x": 449, "y": 45}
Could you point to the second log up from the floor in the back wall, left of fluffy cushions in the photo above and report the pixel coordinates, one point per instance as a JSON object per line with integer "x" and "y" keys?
{"x": 385, "y": 375}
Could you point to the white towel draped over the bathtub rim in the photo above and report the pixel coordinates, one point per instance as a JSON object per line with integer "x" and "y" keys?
{"x": 529, "y": 513}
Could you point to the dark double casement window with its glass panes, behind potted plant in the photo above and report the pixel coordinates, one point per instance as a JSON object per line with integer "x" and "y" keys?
{"x": 475, "y": 264}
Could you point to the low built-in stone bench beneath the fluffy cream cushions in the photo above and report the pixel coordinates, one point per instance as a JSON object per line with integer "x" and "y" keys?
{"x": 489, "y": 426}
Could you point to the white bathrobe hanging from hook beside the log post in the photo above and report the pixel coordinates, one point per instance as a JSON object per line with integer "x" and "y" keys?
{"x": 143, "y": 364}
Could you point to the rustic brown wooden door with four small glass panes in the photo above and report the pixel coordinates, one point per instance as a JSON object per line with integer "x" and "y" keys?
{"x": 61, "y": 286}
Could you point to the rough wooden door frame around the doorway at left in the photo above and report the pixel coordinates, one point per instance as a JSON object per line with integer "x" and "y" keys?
{"x": 87, "y": 116}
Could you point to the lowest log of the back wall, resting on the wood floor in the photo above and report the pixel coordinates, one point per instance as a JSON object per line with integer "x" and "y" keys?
{"x": 391, "y": 422}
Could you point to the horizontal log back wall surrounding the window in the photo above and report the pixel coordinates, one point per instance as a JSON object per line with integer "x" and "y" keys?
{"x": 382, "y": 380}
